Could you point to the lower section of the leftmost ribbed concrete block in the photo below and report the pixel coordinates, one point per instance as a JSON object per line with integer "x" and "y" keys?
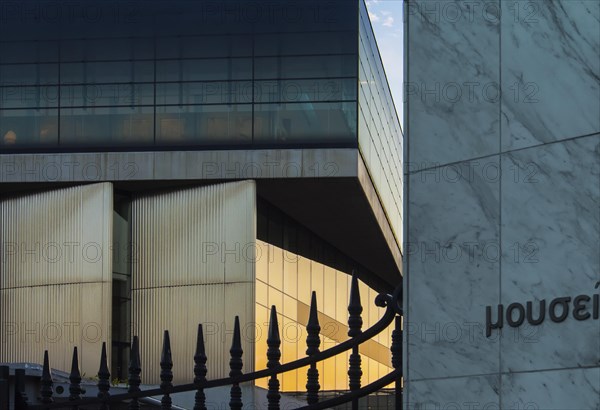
{"x": 51, "y": 318}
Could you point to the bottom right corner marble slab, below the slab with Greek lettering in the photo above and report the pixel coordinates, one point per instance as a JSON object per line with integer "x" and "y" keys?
{"x": 571, "y": 389}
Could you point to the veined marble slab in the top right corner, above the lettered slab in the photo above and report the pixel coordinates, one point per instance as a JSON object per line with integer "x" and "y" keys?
{"x": 550, "y": 65}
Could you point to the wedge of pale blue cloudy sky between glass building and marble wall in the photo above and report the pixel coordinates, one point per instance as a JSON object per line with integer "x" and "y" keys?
{"x": 386, "y": 18}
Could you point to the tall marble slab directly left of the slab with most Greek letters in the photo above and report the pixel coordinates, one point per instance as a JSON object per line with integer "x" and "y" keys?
{"x": 454, "y": 266}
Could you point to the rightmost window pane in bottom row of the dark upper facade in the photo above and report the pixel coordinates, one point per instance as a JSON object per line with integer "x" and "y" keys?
{"x": 321, "y": 122}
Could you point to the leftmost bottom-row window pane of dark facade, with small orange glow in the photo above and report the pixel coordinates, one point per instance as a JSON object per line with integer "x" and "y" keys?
{"x": 28, "y": 127}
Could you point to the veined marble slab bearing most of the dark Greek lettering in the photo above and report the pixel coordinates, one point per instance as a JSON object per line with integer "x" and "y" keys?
{"x": 551, "y": 248}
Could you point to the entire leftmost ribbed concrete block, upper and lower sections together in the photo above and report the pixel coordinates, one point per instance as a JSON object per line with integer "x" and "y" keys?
{"x": 55, "y": 275}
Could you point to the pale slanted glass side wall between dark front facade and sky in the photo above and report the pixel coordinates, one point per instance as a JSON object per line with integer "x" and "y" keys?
{"x": 379, "y": 134}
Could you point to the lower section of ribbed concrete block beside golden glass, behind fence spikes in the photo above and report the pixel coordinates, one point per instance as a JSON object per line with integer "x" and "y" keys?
{"x": 179, "y": 309}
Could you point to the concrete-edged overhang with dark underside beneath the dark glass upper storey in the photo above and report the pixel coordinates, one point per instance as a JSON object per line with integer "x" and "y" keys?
{"x": 326, "y": 189}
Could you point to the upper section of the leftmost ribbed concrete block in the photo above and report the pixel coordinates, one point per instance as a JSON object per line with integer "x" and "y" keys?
{"x": 55, "y": 237}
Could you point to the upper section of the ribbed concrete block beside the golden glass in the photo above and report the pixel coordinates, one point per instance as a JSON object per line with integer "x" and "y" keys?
{"x": 195, "y": 236}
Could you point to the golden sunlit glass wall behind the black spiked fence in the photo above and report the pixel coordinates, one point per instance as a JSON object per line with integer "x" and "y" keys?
{"x": 291, "y": 263}
